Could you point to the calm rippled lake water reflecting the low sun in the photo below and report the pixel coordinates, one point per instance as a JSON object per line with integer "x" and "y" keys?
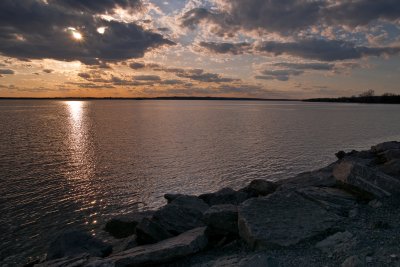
{"x": 66, "y": 164}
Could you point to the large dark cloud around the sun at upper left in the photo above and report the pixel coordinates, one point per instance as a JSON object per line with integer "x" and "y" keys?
{"x": 32, "y": 29}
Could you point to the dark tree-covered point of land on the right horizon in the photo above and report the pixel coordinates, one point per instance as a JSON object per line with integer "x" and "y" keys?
{"x": 365, "y": 97}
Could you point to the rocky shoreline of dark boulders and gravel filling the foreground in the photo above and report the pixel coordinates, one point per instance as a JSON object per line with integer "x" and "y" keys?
{"x": 345, "y": 214}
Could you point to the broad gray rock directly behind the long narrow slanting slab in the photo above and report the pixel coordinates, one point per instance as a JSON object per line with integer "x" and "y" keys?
{"x": 182, "y": 214}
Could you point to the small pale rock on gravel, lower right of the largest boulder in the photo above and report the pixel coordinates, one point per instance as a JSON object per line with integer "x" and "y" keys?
{"x": 337, "y": 243}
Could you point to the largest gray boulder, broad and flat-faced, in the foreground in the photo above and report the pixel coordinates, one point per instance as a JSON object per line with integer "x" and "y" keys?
{"x": 282, "y": 219}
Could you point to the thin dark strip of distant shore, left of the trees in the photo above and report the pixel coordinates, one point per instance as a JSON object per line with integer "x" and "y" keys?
{"x": 145, "y": 98}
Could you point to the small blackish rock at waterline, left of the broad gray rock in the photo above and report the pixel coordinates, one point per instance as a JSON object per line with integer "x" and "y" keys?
{"x": 124, "y": 226}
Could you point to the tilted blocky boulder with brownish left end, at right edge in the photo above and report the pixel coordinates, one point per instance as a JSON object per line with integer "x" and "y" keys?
{"x": 365, "y": 179}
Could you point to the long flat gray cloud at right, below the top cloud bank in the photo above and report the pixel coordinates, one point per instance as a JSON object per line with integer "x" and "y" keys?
{"x": 324, "y": 50}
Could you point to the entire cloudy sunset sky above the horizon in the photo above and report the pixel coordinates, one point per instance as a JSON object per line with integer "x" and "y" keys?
{"x": 232, "y": 48}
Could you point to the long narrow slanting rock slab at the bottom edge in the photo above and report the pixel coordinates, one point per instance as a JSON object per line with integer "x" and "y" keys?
{"x": 183, "y": 245}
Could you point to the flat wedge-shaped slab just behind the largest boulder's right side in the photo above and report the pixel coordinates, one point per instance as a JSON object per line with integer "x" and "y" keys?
{"x": 332, "y": 199}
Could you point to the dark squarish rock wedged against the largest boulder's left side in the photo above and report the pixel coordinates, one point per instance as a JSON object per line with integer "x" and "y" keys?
{"x": 222, "y": 219}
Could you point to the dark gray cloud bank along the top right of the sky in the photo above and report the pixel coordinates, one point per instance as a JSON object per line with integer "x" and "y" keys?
{"x": 288, "y": 16}
